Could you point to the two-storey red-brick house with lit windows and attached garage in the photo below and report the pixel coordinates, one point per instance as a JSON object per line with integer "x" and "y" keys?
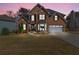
{"x": 40, "y": 19}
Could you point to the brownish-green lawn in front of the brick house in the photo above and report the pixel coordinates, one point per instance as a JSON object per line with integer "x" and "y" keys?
{"x": 24, "y": 44}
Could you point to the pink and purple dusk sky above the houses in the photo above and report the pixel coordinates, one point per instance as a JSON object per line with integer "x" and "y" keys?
{"x": 60, "y": 7}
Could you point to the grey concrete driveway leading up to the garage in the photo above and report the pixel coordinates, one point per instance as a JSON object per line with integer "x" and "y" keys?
{"x": 71, "y": 38}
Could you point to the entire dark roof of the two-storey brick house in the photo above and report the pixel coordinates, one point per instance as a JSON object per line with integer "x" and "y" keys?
{"x": 49, "y": 12}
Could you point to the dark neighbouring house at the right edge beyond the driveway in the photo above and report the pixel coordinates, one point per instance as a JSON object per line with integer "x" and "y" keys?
{"x": 73, "y": 21}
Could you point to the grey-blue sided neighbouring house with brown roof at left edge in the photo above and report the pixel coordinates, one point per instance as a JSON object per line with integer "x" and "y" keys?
{"x": 7, "y": 22}
